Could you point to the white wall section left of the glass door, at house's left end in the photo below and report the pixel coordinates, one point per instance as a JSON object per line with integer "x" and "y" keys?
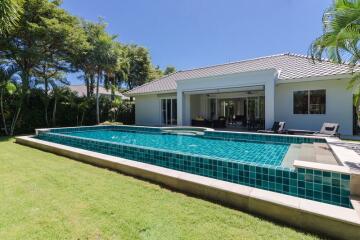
{"x": 147, "y": 110}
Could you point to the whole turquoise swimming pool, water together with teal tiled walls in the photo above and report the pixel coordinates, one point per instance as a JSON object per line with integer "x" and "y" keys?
{"x": 245, "y": 158}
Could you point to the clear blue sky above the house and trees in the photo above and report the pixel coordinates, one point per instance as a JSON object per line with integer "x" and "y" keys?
{"x": 195, "y": 33}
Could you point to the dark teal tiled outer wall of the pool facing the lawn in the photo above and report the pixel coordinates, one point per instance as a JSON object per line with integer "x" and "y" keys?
{"x": 322, "y": 186}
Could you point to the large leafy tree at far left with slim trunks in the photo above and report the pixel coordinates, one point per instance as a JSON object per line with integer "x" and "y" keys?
{"x": 43, "y": 43}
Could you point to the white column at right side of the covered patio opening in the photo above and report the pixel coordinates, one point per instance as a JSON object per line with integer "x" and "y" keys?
{"x": 269, "y": 103}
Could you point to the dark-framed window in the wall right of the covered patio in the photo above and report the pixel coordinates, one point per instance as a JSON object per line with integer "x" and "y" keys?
{"x": 310, "y": 102}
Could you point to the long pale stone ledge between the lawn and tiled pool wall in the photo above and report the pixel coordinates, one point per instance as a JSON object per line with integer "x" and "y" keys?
{"x": 236, "y": 195}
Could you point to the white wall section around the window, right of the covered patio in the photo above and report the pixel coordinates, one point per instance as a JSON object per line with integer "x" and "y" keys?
{"x": 338, "y": 105}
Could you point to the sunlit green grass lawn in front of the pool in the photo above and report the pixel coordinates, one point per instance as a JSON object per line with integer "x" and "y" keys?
{"x": 45, "y": 196}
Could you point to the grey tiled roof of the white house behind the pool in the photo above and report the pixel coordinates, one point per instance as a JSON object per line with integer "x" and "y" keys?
{"x": 291, "y": 66}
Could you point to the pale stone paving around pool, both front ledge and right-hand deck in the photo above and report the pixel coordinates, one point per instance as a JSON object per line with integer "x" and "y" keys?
{"x": 328, "y": 220}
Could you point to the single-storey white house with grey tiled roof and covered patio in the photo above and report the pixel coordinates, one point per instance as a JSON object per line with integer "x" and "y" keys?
{"x": 255, "y": 92}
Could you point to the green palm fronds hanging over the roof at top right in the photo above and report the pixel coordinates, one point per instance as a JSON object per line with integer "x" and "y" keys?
{"x": 341, "y": 27}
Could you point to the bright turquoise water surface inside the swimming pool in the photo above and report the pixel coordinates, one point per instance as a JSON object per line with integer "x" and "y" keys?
{"x": 244, "y": 151}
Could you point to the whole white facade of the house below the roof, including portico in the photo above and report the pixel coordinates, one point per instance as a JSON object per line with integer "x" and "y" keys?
{"x": 278, "y": 101}
